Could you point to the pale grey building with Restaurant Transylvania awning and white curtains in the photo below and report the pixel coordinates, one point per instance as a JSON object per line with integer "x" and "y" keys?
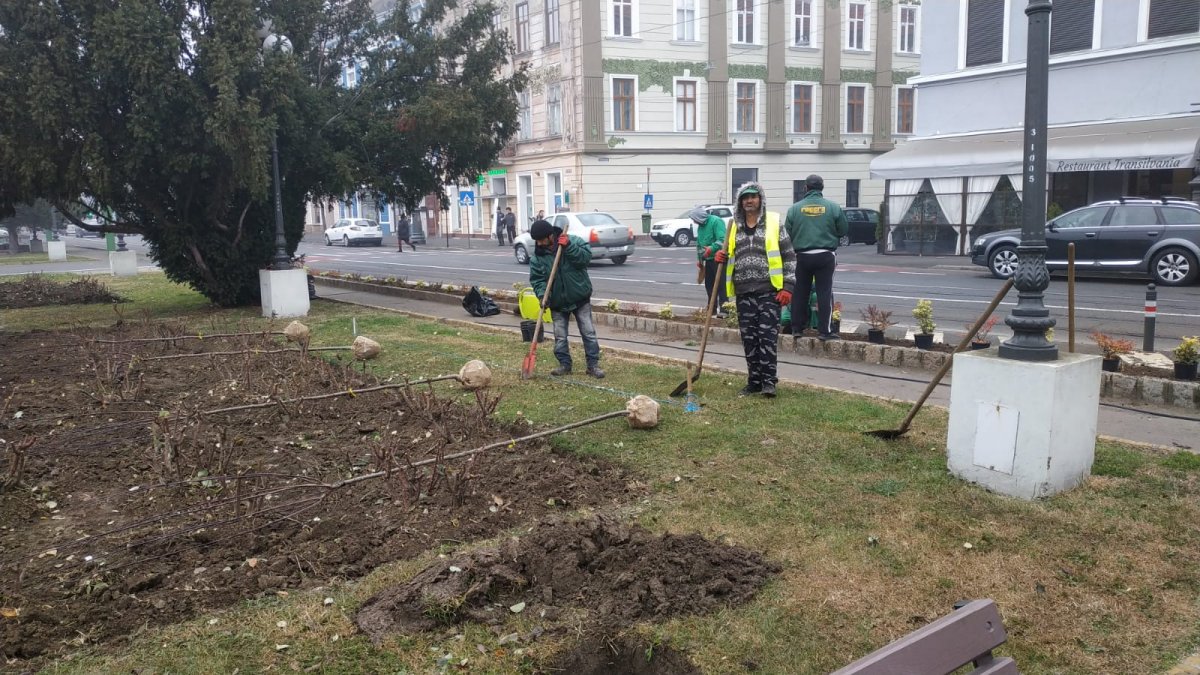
{"x": 1124, "y": 115}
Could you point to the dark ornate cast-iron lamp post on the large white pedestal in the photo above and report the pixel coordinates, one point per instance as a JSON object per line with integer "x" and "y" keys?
{"x": 1031, "y": 320}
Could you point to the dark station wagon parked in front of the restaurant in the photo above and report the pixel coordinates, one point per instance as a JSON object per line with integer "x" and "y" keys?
{"x": 1160, "y": 237}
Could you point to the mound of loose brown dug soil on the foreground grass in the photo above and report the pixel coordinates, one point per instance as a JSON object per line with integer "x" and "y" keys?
{"x": 620, "y": 575}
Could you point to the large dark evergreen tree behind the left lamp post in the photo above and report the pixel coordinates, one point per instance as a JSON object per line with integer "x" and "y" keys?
{"x": 159, "y": 116}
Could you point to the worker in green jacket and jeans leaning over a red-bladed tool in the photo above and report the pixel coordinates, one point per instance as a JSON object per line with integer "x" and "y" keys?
{"x": 571, "y": 295}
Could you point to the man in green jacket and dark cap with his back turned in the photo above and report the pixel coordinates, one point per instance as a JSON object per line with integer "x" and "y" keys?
{"x": 815, "y": 226}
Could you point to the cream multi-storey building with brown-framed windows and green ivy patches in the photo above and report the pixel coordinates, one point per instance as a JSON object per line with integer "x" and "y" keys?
{"x": 685, "y": 100}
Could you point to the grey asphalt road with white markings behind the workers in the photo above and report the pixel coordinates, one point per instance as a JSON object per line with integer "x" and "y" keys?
{"x": 656, "y": 276}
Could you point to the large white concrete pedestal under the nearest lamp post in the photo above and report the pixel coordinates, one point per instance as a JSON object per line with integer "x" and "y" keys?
{"x": 1023, "y": 429}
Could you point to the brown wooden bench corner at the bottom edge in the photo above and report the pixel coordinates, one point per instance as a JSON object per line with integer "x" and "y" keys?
{"x": 944, "y": 647}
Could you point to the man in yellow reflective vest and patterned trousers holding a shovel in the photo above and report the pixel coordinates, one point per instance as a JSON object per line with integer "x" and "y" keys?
{"x": 760, "y": 273}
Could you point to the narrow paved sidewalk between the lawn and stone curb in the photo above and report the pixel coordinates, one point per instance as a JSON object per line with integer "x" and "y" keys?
{"x": 1168, "y": 428}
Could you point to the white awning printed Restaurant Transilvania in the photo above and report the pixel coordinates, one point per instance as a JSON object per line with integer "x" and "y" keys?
{"x": 1165, "y": 144}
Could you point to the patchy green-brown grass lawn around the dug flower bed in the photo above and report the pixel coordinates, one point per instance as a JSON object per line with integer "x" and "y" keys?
{"x": 875, "y": 537}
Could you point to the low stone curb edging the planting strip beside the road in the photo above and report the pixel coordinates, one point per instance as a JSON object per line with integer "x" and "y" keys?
{"x": 1114, "y": 386}
